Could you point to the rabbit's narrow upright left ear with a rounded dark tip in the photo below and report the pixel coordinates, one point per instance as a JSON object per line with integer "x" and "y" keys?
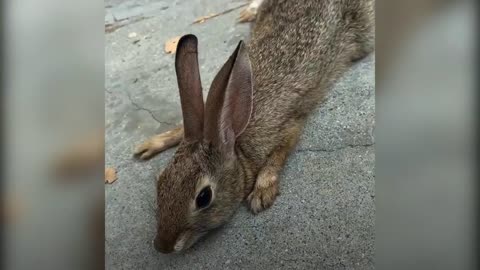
{"x": 190, "y": 87}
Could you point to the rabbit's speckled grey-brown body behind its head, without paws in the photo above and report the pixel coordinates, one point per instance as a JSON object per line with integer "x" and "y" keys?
{"x": 298, "y": 49}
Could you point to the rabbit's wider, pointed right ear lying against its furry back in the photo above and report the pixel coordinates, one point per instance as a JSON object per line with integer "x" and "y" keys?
{"x": 229, "y": 102}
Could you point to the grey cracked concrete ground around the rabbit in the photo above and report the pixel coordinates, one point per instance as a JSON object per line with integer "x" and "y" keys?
{"x": 325, "y": 215}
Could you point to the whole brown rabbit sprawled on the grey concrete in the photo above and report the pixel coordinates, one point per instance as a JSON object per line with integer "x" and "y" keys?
{"x": 234, "y": 146}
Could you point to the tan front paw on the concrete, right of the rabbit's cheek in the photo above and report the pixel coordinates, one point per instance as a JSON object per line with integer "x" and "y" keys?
{"x": 264, "y": 193}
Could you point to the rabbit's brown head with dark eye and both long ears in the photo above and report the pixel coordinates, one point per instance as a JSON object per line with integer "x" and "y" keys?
{"x": 203, "y": 184}
